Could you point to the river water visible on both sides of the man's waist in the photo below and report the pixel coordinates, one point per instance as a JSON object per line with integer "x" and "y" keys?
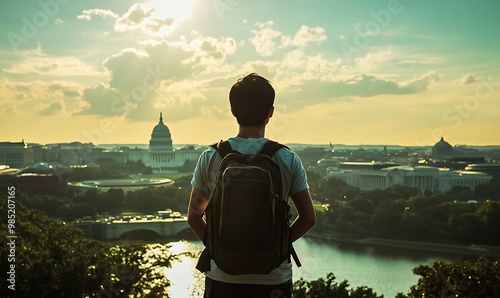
{"x": 387, "y": 272}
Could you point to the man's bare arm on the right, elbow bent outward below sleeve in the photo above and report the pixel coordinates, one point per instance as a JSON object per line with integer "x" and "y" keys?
{"x": 306, "y": 214}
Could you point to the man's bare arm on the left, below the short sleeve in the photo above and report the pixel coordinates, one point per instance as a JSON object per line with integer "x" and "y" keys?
{"x": 197, "y": 205}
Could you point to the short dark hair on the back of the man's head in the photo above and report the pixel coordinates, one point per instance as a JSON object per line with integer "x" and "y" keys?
{"x": 251, "y": 97}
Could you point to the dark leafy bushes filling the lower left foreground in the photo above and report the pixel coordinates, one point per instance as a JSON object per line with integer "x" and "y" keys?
{"x": 53, "y": 259}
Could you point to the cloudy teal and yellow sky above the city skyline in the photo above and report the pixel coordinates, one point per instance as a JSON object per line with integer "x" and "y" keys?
{"x": 345, "y": 72}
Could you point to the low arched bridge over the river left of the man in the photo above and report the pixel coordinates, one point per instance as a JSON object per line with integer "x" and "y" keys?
{"x": 122, "y": 229}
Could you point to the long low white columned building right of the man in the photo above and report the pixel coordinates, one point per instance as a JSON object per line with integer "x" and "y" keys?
{"x": 423, "y": 178}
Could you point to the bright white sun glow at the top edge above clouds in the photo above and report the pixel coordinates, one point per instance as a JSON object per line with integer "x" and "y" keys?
{"x": 179, "y": 11}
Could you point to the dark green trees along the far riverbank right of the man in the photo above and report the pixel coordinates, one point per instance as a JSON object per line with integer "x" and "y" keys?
{"x": 400, "y": 212}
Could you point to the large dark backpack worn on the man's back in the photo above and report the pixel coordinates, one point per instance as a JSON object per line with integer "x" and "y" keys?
{"x": 247, "y": 218}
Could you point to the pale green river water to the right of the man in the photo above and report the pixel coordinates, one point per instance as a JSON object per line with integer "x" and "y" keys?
{"x": 386, "y": 272}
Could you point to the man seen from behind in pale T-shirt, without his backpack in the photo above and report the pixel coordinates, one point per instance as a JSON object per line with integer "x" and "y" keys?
{"x": 251, "y": 99}
